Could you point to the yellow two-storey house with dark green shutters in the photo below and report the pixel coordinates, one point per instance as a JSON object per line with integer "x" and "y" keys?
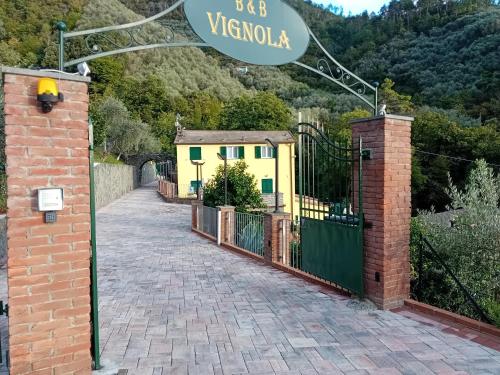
{"x": 202, "y": 146}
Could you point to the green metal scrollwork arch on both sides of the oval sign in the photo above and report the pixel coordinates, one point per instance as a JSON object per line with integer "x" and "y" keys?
{"x": 158, "y": 31}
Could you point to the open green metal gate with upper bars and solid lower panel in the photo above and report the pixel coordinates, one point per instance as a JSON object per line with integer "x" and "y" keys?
{"x": 331, "y": 208}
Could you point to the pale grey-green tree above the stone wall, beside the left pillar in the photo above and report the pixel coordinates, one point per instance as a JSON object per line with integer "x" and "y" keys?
{"x": 124, "y": 136}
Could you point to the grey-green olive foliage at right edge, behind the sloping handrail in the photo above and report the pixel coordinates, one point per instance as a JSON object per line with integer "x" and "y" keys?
{"x": 469, "y": 246}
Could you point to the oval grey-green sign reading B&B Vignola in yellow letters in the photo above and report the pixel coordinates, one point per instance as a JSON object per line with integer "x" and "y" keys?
{"x": 254, "y": 31}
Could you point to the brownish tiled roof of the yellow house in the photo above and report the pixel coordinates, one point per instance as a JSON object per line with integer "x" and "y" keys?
{"x": 202, "y": 137}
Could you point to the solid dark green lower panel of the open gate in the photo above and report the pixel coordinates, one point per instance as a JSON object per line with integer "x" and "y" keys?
{"x": 333, "y": 252}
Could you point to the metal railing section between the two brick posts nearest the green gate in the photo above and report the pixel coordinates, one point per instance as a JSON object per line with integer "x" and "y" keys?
{"x": 249, "y": 232}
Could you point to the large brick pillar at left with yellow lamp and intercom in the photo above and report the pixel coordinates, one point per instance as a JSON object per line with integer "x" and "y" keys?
{"x": 48, "y": 264}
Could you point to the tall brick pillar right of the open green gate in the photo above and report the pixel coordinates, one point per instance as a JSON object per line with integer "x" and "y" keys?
{"x": 387, "y": 207}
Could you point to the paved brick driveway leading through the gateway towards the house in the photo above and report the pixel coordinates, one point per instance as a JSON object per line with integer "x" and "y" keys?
{"x": 173, "y": 303}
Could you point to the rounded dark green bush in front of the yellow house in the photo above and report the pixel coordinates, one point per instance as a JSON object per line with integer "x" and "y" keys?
{"x": 242, "y": 188}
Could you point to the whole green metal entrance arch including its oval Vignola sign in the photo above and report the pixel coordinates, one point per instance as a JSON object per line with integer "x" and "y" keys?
{"x": 260, "y": 32}
